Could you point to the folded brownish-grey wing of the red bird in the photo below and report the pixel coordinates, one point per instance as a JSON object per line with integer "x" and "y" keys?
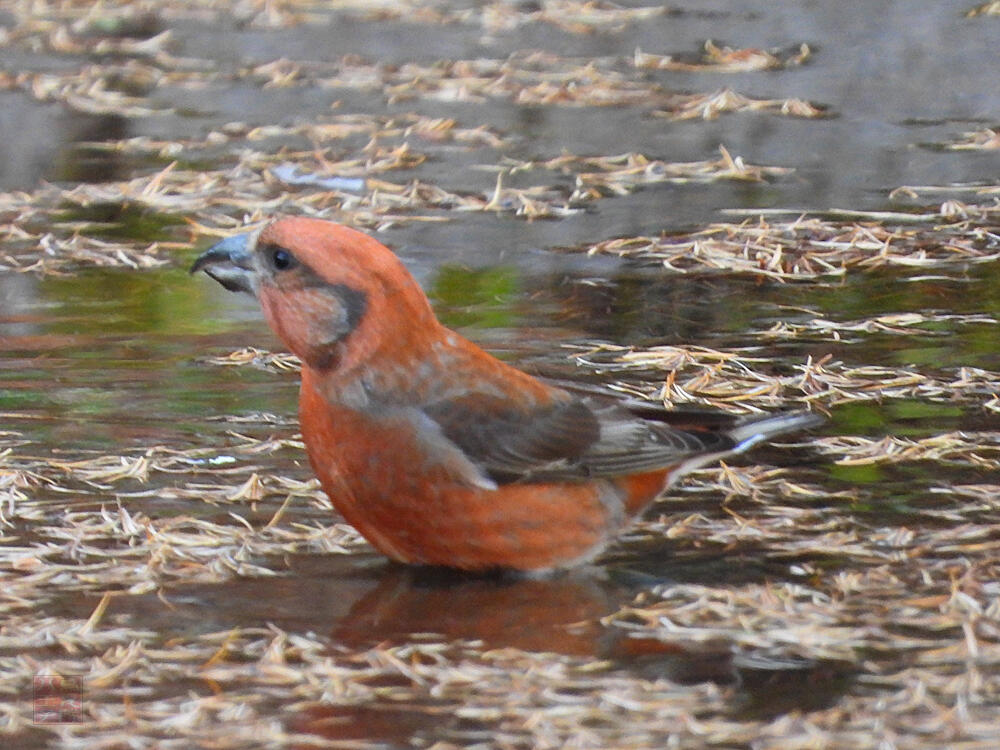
{"x": 569, "y": 439}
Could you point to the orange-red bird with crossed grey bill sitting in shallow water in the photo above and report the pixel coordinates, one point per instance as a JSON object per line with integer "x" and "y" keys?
{"x": 436, "y": 452}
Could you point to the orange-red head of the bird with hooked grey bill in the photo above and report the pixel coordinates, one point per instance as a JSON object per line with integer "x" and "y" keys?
{"x": 335, "y": 296}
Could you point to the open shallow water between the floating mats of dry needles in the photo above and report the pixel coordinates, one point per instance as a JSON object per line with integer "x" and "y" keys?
{"x": 115, "y": 361}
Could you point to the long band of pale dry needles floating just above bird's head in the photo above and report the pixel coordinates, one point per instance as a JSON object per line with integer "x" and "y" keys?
{"x": 43, "y": 234}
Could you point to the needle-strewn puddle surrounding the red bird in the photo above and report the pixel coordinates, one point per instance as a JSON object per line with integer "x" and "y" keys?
{"x": 838, "y": 591}
